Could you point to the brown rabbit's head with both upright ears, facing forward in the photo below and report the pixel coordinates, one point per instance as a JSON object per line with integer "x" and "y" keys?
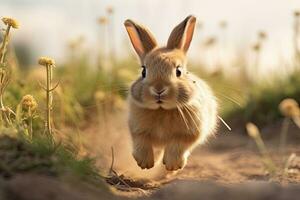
{"x": 164, "y": 81}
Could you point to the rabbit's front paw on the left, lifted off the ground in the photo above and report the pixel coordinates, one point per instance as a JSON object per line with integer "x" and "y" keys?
{"x": 144, "y": 158}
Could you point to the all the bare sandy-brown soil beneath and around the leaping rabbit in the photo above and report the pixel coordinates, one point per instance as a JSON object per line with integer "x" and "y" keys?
{"x": 229, "y": 166}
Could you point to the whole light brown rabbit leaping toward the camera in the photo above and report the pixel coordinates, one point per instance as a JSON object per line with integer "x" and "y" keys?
{"x": 169, "y": 107}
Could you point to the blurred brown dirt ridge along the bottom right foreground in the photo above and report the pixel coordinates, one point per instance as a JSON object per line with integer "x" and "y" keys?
{"x": 254, "y": 190}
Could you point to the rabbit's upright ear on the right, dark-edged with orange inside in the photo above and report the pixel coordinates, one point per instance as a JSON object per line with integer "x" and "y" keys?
{"x": 182, "y": 34}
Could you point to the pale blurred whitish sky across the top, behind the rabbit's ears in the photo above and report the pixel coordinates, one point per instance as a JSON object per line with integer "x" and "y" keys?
{"x": 48, "y": 25}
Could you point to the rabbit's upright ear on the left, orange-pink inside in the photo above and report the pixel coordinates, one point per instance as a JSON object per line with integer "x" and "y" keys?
{"x": 141, "y": 38}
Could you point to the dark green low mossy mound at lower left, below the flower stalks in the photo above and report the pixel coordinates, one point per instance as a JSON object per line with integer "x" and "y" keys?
{"x": 40, "y": 155}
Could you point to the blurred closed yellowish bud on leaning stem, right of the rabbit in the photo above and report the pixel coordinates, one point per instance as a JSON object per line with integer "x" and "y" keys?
{"x": 254, "y": 133}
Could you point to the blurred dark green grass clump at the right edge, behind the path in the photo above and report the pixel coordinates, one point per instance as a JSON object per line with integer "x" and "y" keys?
{"x": 262, "y": 101}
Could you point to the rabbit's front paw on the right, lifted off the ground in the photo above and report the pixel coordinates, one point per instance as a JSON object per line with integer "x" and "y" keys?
{"x": 172, "y": 162}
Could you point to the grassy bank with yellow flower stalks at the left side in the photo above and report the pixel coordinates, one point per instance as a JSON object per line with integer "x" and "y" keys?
{"x": 26, "y": 143}
